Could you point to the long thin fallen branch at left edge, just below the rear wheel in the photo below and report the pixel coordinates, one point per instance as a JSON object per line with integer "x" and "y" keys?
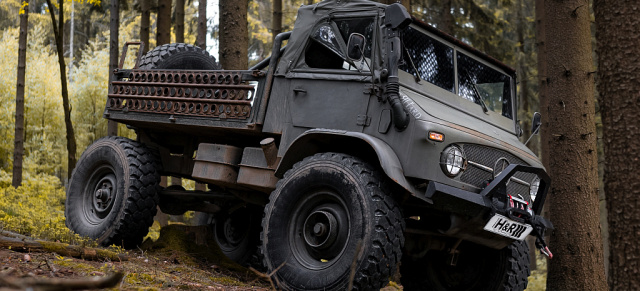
{"x": 24, "y": 244}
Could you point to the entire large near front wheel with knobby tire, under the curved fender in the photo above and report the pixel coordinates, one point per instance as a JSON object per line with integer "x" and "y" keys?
{"x": 330, "y": 223}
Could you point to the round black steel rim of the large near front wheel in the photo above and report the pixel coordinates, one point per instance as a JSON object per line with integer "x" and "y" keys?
{"x": 319, "y": 229}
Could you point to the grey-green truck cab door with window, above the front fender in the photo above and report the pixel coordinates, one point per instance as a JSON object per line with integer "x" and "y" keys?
{"x": 327, "y": 91}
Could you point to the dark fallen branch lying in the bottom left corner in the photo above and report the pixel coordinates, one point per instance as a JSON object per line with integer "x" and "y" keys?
{"x": 53, "y": 284}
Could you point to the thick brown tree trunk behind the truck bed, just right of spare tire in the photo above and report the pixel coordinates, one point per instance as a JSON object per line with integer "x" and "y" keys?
{"x": 234, "y": 38}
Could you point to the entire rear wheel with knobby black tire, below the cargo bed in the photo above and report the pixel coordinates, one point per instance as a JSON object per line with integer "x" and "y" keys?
{"x": 113, "y": 192}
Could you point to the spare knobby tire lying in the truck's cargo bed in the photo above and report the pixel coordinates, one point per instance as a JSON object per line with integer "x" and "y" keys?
{"x": 179, "y": 56}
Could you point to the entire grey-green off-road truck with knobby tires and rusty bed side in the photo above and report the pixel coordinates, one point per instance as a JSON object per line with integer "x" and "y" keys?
{"x": 370, "y": 139}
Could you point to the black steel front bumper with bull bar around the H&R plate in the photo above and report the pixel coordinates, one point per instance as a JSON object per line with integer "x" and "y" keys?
{"x": 473, "y": 210}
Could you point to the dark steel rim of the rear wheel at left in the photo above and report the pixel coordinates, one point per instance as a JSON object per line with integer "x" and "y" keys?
{"x": 99, "y": 194}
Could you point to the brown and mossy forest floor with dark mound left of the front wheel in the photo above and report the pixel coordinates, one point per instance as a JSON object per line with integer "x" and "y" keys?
{"x": 174, "y": 262}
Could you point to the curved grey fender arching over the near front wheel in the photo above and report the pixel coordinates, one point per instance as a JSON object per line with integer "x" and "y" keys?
{"x": 357, "y": 144}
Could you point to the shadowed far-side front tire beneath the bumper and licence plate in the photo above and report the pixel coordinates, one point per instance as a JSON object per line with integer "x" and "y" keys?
{"x": 478, "y": 268}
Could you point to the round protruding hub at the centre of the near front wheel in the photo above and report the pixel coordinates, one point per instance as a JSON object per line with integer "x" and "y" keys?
{"x": 320, "y": 229}
